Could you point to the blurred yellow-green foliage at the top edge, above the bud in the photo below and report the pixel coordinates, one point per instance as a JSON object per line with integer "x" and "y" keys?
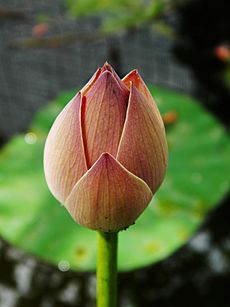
{"x": 117, "y": 14}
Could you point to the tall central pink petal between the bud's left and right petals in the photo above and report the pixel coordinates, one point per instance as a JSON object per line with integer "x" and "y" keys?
{"x": 103, "y": 117}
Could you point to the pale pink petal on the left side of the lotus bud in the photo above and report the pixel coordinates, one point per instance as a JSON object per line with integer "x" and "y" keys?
{"x": 64, "y": 158}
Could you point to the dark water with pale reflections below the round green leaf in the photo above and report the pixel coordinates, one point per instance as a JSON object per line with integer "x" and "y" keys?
{"x": 197, "y": 275}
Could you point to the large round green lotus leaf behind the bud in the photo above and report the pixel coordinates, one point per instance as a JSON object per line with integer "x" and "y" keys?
{"x": 197, "y": 179}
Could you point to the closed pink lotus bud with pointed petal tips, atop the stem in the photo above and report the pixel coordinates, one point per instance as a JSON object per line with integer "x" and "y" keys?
{"x": 106, "y": 153}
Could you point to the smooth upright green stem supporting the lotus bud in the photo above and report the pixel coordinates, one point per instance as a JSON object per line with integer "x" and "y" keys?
{"x": 106, "y": 269}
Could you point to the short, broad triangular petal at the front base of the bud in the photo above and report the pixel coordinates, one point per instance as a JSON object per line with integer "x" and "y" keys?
{"x": 108, "y": 197}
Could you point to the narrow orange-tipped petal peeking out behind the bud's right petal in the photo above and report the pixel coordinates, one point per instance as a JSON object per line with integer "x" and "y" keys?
{"x": 136, "y": 79}
